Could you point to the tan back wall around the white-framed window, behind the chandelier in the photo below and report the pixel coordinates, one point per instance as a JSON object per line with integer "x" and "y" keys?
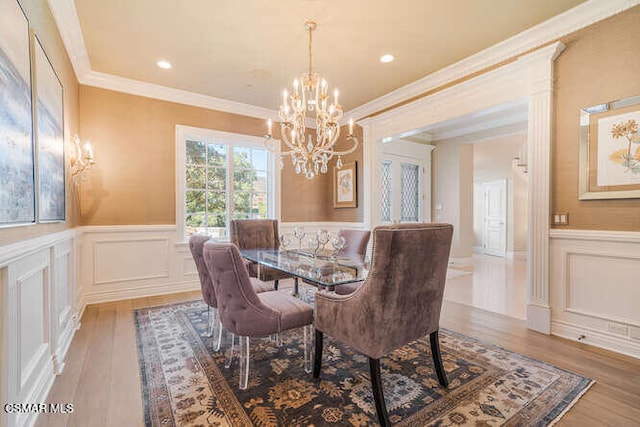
{"x": 134, "y": 143}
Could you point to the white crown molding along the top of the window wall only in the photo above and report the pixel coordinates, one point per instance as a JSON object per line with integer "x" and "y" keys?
{"x": 164, "y": 93}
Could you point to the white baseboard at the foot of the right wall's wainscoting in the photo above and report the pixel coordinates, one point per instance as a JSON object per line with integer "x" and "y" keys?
{"x": 596, "y": 338}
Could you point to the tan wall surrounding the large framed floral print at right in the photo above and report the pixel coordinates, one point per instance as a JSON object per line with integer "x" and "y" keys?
{"x": 599, "y": 64}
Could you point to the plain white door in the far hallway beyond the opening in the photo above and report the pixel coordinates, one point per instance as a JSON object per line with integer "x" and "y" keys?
{"x": 495, "y": 218}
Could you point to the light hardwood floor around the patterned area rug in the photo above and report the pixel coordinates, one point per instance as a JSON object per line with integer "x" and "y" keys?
{"x": 101, "y": 377}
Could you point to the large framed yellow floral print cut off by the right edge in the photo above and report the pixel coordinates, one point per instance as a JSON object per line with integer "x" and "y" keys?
{"x": 610, "y": 150}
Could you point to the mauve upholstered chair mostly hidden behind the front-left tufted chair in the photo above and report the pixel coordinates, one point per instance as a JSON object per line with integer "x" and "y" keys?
{"x": 196, "y": 244}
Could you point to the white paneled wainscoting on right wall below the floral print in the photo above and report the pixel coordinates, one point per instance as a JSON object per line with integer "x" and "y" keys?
{"x": 595, "y": 288}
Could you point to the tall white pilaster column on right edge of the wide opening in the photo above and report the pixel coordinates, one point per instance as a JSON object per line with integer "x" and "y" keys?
{"x": 538, "y": 70}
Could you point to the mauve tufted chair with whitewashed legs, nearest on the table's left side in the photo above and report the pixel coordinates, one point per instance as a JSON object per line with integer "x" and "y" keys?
{"x": 247, "y": 314}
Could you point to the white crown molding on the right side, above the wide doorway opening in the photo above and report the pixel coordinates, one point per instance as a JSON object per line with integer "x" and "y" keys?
{"x": 568, "y": 22}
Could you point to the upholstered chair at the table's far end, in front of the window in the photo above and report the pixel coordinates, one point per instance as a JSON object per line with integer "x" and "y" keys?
{"x": 258, "y": 234}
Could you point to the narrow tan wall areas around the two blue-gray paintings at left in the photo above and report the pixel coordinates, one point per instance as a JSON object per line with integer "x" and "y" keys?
{"x": 41, "y": 21}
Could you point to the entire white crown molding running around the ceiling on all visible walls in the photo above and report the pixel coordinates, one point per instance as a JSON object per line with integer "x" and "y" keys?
{"x": 592, "y": 11}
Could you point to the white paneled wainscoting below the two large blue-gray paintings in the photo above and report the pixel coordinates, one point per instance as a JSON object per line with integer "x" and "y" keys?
{"x": 39, "y": 303}
